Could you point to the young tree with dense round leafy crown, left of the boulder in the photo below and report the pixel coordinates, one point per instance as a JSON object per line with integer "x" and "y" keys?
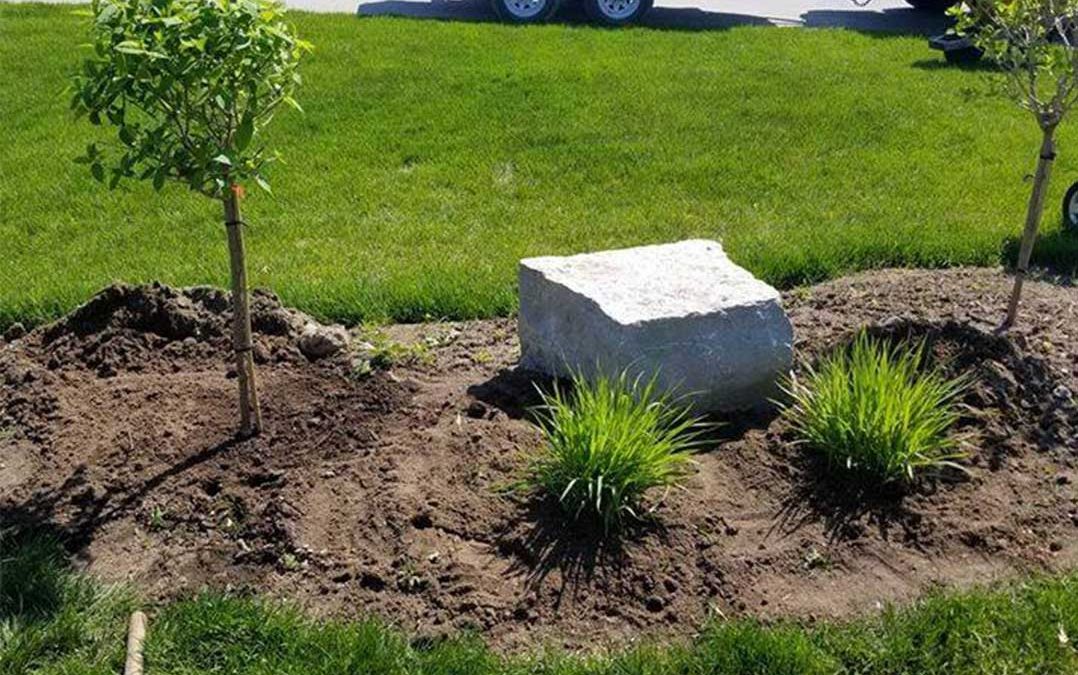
{"x": 188, "y": 86}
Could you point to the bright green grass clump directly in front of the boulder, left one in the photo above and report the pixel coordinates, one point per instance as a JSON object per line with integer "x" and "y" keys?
{"x": 609, "y": 444}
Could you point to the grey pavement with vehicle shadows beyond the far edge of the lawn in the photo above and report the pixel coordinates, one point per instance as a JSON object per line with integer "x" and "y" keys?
{"x": 877, "y": 16}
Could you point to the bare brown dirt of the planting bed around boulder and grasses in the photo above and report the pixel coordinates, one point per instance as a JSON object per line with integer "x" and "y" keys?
{"x": 384, "y": 493}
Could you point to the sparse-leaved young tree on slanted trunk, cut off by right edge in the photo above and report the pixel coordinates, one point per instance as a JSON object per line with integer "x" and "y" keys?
{"x": 1034, "y": 44}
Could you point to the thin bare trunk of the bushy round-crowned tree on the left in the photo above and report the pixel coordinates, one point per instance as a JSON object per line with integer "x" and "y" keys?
{"x": 251, "y": 415}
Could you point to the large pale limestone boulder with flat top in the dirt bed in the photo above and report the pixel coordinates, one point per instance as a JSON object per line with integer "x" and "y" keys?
{"x": 685, "y": 311}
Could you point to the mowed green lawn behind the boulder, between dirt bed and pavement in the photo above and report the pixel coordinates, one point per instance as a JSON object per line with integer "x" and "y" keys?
{"x": 433, "y": 156}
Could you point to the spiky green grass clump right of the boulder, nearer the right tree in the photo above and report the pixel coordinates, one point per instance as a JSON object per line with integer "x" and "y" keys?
{"x": 876, "y": 409}
